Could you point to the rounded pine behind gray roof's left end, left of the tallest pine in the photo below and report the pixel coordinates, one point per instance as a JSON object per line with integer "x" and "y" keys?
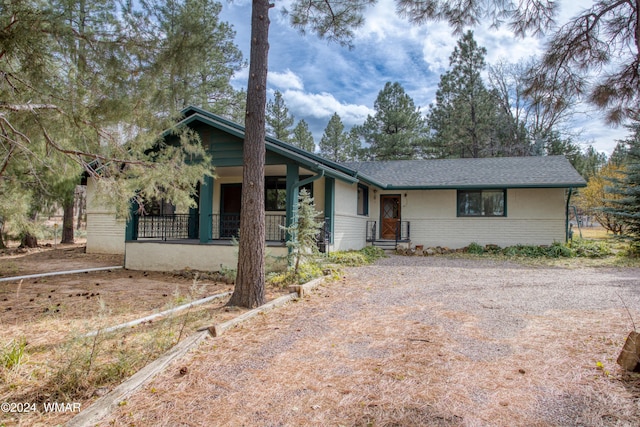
{"x": 397, "y": 129}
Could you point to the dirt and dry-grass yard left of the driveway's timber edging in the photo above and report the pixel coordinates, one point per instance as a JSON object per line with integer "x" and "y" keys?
{"x": 51, "y": 314}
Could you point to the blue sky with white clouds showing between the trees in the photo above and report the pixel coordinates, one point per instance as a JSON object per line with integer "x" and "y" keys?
{"x": 318, "y": 78}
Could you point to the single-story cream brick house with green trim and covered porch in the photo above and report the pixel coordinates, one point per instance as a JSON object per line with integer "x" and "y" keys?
{"x": 452, "y": 203}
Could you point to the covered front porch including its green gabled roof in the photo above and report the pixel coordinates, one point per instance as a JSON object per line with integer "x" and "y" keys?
{"x": 204, "y": 234}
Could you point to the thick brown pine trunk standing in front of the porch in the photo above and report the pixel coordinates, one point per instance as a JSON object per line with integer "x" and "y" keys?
{"x": 249, "y": 290}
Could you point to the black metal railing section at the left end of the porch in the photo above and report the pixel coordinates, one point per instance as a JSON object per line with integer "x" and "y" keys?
{"x": 167, "y": 227}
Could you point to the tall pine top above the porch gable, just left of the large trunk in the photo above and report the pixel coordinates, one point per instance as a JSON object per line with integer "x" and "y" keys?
{"x": 196, "y": 56}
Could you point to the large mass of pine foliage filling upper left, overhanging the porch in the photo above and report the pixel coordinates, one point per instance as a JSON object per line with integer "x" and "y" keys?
{"x": 90, "y": 86}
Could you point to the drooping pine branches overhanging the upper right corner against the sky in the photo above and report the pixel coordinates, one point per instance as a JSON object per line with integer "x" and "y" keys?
{"x": 596, "y": 55}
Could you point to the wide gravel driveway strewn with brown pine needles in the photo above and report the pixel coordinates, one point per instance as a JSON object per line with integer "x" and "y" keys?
{"x": 418, "y": 341}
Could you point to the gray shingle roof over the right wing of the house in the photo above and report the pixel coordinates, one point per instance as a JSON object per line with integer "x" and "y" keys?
{"x": 499, "y": 172}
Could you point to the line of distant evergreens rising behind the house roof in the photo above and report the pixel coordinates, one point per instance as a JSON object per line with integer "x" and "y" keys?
{"x": 469, "y": 118}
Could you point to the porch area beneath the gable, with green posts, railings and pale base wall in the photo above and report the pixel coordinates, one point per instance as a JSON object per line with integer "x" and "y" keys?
{"x": 203, "y": 238}
